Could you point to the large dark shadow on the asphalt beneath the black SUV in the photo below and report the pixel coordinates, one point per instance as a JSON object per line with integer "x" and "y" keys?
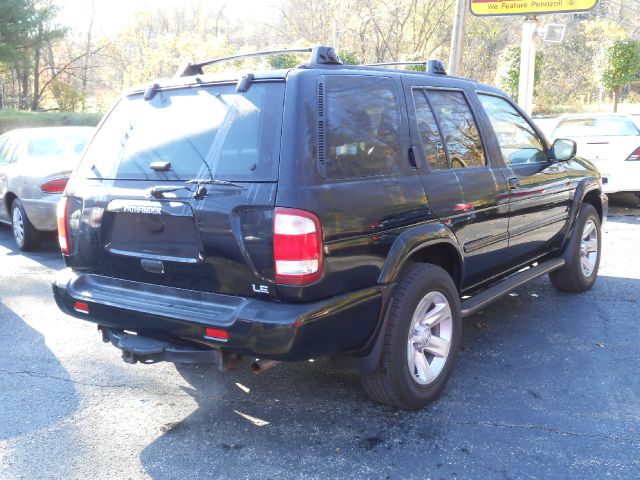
{"x": 521, "y": 363}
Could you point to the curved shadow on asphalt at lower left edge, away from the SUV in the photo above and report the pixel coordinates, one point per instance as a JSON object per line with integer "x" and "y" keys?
{"x": 25, "y": 365}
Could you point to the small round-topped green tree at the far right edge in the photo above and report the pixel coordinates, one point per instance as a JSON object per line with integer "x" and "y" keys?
{"x": 621, "y": 66}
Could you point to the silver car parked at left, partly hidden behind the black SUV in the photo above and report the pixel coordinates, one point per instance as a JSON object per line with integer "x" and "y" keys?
{"x": 35, "y": 164}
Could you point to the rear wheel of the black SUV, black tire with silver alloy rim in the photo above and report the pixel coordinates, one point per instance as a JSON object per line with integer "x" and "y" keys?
{"x": 412, "y": 382}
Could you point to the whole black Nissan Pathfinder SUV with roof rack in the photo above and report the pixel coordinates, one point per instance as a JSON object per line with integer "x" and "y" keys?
{"x": 358, "y": 212}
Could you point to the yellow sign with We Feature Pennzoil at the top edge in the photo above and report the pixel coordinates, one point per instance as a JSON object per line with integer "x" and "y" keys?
{"x": 529, "y": 7}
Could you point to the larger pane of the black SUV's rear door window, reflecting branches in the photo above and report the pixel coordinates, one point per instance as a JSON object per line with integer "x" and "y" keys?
{"x": 458, "y": 128}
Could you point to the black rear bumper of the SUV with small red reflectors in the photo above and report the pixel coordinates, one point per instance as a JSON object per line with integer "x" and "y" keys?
{"x": 264, "y": 329}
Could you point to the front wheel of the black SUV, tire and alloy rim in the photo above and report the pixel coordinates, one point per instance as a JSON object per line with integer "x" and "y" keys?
{"x": 581, "y": 270}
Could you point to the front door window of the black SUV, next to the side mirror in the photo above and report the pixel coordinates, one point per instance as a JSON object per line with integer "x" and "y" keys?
{"x": 517, "y": 139}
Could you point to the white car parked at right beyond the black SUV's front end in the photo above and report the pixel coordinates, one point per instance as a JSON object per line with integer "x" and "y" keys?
{"x": 611, "y": 142}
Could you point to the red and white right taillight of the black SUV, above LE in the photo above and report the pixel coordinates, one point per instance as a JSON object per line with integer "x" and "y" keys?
{"x": 297, "y": 246}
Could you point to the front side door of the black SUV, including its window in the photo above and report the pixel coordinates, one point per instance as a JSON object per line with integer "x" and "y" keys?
{"x": 540, "y": 190}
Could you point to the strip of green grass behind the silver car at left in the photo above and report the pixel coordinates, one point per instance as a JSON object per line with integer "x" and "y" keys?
{"x": 11, "y": 119}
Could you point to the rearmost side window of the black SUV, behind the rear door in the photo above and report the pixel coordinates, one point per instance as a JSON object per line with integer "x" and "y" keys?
{"x": 363, "y": 134}
